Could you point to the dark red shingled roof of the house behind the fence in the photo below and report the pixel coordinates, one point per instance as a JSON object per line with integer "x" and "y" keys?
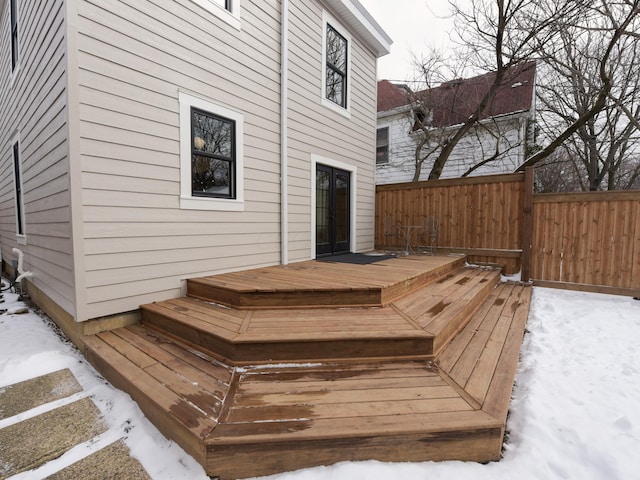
{"x": 453, "y": 102}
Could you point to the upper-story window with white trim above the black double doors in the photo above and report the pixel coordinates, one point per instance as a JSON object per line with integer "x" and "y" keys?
{"x": 336, "y": 77}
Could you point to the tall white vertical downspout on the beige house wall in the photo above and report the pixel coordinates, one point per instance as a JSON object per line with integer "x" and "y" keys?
{"x": 284, "y": 163}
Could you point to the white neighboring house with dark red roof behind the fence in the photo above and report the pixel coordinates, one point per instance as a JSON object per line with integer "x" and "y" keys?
{"x": 506, "y": 125}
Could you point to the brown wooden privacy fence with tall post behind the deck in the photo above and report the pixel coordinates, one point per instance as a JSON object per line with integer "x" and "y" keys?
{"x": 586, "y": 241}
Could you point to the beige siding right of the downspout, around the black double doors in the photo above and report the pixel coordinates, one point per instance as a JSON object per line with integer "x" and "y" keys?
{"x": 315, "y": 129}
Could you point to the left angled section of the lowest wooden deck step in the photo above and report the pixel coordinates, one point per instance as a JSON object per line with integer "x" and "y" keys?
{"x": 180, "y": 390}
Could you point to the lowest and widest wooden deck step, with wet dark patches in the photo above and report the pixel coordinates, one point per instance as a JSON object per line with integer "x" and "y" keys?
{"x": 297, "y": 415}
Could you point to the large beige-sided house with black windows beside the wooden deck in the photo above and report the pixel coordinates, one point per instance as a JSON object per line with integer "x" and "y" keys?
{"x": 143, "y": 143}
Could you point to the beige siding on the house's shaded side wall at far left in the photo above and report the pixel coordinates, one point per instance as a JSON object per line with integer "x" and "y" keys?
{"x": 32, "y": 103}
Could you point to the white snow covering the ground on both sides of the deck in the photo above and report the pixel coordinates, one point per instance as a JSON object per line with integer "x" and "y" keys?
{"x": 575, "y": 412}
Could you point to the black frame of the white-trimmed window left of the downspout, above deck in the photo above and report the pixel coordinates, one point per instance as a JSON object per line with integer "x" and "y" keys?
{"x": 231, "y": 159}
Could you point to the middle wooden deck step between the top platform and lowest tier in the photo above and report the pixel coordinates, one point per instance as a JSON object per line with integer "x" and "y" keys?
{"x": 417, "y": 325}
